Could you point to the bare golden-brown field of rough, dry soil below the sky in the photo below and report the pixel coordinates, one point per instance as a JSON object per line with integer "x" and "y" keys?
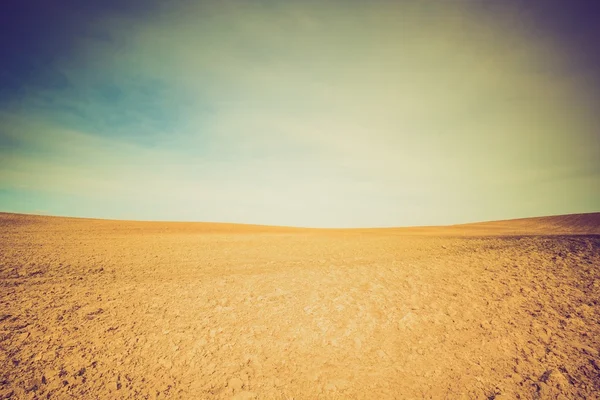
{"x": 106, "y": 309}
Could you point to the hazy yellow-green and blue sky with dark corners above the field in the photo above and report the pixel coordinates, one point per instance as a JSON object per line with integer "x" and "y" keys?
{"x": 303, "y": 113}
